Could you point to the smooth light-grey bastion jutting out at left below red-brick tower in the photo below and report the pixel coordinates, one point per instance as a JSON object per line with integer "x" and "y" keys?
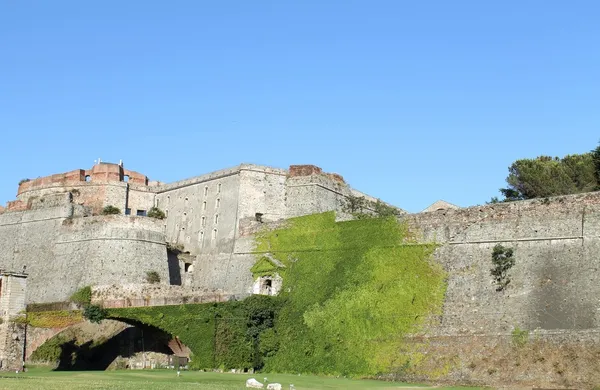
{"x": 104, "y": 249}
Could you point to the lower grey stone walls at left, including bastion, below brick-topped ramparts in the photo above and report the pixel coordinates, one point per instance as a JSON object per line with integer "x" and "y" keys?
{"x": 62, "y": 253}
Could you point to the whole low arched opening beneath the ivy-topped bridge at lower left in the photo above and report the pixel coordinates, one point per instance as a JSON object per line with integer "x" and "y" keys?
{"x": 113, "y": 344}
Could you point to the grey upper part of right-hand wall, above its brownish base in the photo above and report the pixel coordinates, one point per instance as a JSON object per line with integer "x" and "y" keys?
{"x": 555, "y": 281}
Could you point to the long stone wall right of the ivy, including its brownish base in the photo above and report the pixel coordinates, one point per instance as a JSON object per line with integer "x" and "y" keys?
{"x": 552, "y": 300}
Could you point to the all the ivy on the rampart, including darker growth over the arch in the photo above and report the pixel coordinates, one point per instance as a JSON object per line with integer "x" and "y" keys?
{"x": 351, "y": 292}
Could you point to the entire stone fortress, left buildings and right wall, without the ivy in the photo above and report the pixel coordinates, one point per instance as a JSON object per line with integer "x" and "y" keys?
{"x": 55, "y": 230}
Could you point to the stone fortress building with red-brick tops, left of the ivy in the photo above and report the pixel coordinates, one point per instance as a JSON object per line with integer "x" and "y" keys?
{"x": 56, "y": 229}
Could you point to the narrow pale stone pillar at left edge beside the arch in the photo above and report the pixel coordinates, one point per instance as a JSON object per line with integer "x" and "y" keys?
{"x": 12, "y": 315}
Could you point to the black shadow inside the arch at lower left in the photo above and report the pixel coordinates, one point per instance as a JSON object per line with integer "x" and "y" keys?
{"x": 92, "y": 355}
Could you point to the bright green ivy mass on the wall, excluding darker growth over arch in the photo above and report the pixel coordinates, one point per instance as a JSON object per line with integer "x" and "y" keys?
{"x": 352, "y": 291}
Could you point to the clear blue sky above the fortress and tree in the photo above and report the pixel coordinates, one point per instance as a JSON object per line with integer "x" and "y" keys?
{"x": 411, "y": 101}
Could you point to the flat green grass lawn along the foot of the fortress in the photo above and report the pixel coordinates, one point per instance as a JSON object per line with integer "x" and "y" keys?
{"x": 44, "y": 378}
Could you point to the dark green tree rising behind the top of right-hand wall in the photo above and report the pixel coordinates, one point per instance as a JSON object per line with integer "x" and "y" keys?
{"x": 546, "y": 176}
